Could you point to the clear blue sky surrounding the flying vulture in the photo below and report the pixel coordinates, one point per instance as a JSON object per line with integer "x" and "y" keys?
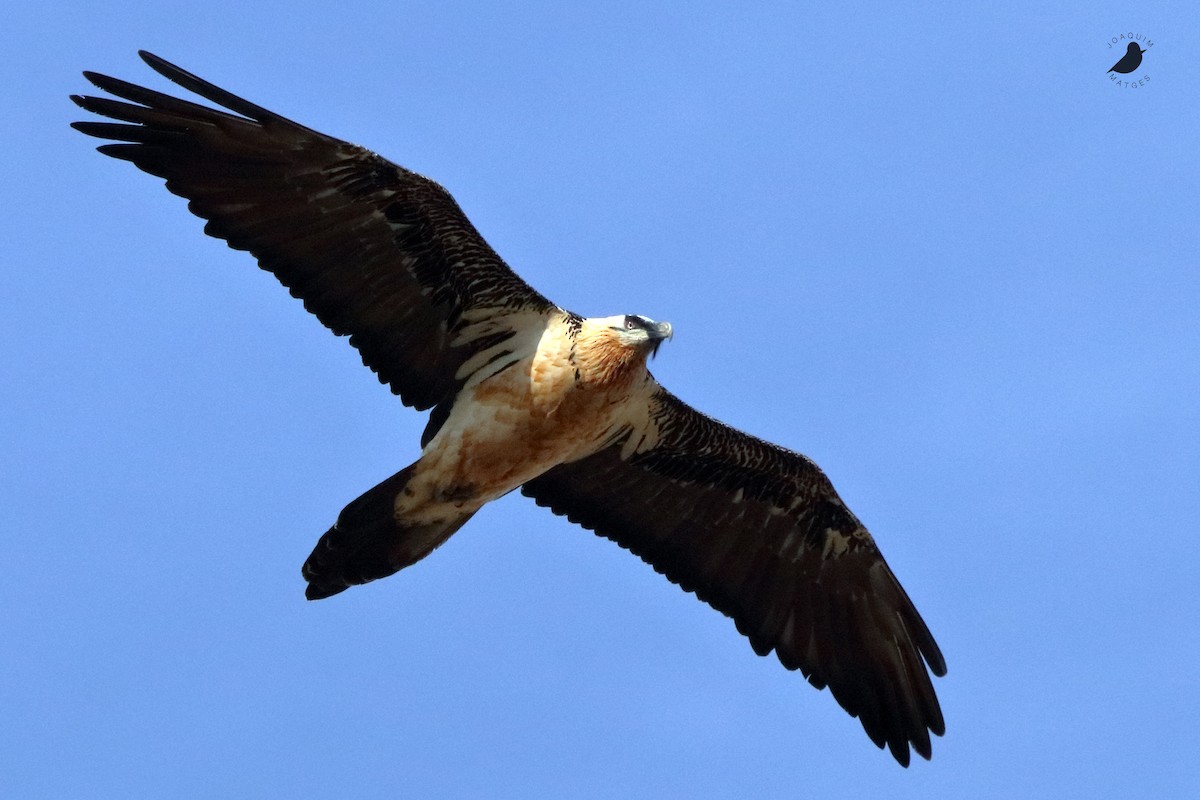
{"x": 933, "y": 248}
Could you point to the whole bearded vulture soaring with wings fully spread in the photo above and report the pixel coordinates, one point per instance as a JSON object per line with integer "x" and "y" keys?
{"x": 525, "y": 394}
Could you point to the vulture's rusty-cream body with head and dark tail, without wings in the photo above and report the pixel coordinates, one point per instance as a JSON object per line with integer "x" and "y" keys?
{"x": 565, "y": 395}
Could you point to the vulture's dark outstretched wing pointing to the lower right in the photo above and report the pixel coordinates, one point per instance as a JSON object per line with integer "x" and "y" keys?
{"x": 759, "y": 533}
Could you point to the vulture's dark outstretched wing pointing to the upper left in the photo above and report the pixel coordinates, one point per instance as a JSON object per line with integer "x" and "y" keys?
{"x": 375, "y": 251}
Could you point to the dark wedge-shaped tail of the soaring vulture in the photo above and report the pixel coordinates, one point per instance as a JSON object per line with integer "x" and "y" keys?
{"x": 368, "y": 543}
